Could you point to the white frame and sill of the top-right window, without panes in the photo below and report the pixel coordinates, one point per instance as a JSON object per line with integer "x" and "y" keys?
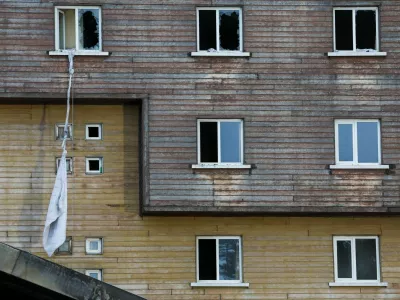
{"x": 355, "y": 51}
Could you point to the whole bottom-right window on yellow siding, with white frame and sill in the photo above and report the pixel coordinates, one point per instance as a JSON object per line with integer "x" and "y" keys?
{"x": 356, "y": 260}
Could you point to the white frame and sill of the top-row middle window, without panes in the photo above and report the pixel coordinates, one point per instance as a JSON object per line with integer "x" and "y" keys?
{"x": 218, "y": 51}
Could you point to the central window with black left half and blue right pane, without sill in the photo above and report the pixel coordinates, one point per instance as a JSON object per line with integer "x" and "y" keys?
{"x": 220, "y": 141}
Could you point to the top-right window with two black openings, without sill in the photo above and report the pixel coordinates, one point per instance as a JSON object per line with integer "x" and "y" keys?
{"x": 356, "y": 29}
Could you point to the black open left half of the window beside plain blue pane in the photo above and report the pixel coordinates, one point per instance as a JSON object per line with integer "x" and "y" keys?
{"x": 208, "y": 142}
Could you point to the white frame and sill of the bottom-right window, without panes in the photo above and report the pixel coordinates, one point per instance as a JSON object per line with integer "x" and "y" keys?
{"x": 354, "y": 281}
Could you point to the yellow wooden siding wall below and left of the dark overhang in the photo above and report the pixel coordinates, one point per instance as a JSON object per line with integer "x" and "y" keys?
{"x": 283, "y": 257}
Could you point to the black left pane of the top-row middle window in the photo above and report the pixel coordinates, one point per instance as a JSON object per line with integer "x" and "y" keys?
{"x": 207, "y": 29}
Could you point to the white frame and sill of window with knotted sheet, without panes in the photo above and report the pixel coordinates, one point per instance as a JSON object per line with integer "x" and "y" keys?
{"x": 78, "y": 51}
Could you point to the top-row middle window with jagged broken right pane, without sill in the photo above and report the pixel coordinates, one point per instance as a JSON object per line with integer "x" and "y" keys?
{"x": 219, "y": 29}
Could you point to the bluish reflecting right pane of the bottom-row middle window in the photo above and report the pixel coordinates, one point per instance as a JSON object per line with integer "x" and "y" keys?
{"x": 229, "y": 267}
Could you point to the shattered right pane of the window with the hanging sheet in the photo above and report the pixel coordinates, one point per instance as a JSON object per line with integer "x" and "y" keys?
{"x": 88, "y": 22}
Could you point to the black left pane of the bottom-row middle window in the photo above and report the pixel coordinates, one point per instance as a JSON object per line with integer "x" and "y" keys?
{"x": 207, "y": 259}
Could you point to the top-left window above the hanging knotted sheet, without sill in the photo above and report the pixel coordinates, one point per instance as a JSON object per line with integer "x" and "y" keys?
{"x": 78, "y": 28}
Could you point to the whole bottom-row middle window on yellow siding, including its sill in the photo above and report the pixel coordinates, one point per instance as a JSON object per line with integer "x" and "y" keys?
{"x": 219, "y": 260}
